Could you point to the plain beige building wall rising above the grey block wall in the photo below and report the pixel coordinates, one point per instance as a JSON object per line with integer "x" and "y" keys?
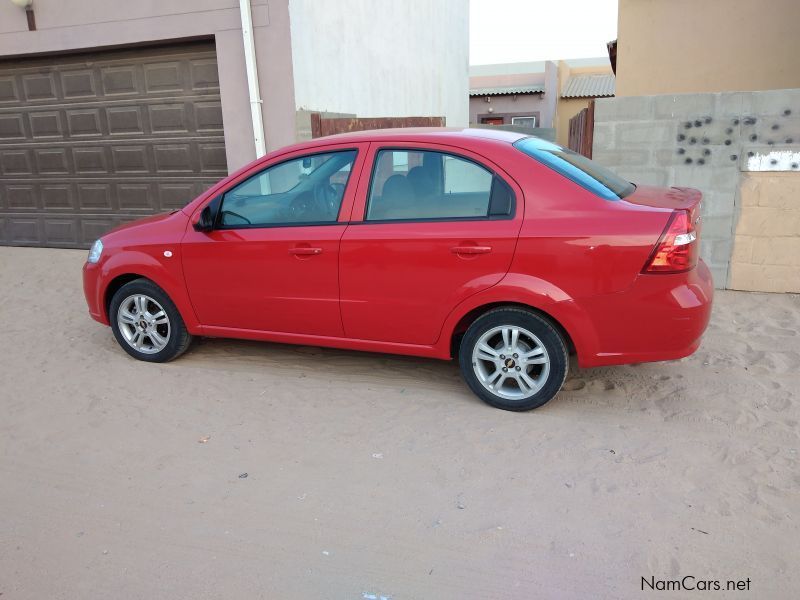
{"x": 684, "y": 46}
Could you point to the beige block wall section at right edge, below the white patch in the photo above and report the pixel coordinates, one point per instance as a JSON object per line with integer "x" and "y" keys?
{"x": 766, "y": 250}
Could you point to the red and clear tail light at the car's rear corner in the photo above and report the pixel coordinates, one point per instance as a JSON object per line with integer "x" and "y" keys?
{"x": 678, "y": 248}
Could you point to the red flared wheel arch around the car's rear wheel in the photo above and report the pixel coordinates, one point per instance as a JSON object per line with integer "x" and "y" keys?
{"x": 519, "y": 288}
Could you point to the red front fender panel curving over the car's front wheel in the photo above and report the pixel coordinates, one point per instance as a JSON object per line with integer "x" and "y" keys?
{"x": 167, "y": 273}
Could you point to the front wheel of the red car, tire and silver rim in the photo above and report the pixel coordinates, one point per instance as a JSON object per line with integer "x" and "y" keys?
{"x": 147, "y": 323}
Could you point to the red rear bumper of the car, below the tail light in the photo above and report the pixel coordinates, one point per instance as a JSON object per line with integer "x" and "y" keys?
{"x": 660, "y": 317}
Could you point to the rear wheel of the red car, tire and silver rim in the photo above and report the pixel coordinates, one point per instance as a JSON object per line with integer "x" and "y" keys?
{"x": 535, "y": 359}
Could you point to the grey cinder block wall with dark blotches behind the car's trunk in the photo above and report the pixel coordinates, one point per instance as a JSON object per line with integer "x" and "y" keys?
{"x": 702, "y": 141}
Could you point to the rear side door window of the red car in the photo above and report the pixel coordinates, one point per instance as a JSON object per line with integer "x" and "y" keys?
{"x": 419, "y": 185}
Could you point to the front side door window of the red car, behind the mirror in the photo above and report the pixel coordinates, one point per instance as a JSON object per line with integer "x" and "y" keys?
{"x": 307, "y": 190}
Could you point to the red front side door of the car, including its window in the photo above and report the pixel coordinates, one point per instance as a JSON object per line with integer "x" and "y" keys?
{"x": 271, "y": 261}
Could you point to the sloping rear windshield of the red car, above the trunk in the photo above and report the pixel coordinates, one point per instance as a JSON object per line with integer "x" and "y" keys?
{"x": 577, "y": 168}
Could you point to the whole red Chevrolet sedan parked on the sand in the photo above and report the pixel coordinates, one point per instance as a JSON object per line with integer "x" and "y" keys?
{"x": 504, "y": 251}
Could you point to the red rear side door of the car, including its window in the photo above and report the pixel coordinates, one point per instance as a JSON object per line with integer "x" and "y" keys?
{"x": 432, "y": 225}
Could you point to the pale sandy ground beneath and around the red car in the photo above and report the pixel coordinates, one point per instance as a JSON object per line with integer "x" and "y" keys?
{"x": 373, "y": 475}
